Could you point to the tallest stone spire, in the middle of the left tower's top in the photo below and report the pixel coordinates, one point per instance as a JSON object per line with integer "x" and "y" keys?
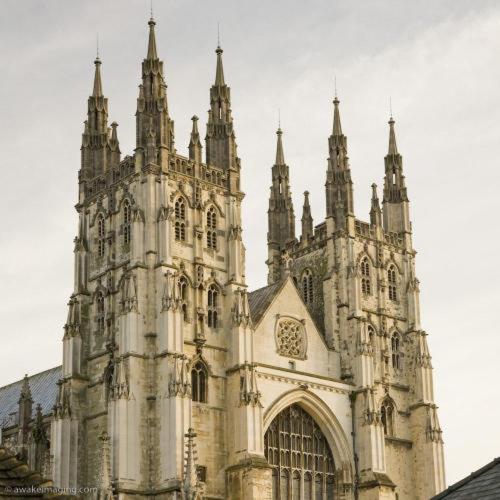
{"x": 152, "y": 115}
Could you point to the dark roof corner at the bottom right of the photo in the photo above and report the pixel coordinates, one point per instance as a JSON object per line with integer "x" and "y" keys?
{"x": 483, "y": 484}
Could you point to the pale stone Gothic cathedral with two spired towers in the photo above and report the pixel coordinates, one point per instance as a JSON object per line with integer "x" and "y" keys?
{"x": 177, "y": 382}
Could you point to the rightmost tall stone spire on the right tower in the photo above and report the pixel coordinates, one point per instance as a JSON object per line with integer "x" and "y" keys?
{"x": 395, "y": 203}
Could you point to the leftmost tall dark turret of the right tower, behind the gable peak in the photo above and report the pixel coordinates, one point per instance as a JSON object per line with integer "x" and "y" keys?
{"x": 281, "y": 217}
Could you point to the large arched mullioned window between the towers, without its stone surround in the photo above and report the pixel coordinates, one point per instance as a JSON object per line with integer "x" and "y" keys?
{"x": 301, "y": 458}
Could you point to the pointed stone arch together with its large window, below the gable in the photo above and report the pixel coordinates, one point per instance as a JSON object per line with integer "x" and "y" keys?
{"x": 307, "y": 449}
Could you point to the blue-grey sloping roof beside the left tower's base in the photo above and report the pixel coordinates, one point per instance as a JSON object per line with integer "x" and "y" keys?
{"x": 43, "y": 388}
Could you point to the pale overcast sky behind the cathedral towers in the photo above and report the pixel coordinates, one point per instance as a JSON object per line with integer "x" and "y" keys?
{"x": 440, "y": 62}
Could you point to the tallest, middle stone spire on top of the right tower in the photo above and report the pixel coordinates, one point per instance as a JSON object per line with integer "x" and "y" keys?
{"x": 339, "y": 195}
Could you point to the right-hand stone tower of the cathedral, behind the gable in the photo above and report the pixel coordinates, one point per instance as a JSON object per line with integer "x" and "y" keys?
{"x": 359, "y": 283}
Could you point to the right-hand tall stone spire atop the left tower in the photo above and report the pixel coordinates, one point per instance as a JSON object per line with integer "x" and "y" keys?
{"x": 220, "y": 139}
